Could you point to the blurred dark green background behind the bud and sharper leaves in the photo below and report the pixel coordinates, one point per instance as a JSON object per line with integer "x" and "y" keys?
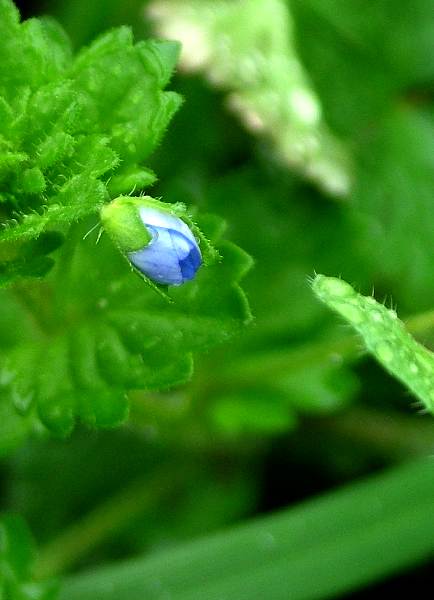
{"x": 284, "y": 412}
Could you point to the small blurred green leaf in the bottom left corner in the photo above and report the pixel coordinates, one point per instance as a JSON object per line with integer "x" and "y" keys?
{"x": 16, "y": 562}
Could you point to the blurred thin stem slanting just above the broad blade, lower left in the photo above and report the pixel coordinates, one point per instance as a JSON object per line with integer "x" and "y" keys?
{"x": 105, "y": 520}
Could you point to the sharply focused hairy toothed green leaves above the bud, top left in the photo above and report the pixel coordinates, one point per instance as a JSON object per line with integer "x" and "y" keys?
{"x": 73, "y": 128}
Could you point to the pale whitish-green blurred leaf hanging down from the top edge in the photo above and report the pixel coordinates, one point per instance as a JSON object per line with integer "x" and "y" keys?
{"x": 259, "y": 67}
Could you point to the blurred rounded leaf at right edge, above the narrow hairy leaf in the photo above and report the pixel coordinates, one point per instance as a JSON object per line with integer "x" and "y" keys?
{"x": 394, "y": 193}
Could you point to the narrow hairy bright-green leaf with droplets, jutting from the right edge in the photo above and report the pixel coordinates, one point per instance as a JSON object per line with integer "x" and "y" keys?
{"x": 384, "y": 336}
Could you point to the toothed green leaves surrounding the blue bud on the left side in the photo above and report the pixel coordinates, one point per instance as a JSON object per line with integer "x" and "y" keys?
{"x": 74, "y": 131}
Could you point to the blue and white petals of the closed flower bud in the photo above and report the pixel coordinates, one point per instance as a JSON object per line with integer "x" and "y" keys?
{"x": 172, "y": 257}
